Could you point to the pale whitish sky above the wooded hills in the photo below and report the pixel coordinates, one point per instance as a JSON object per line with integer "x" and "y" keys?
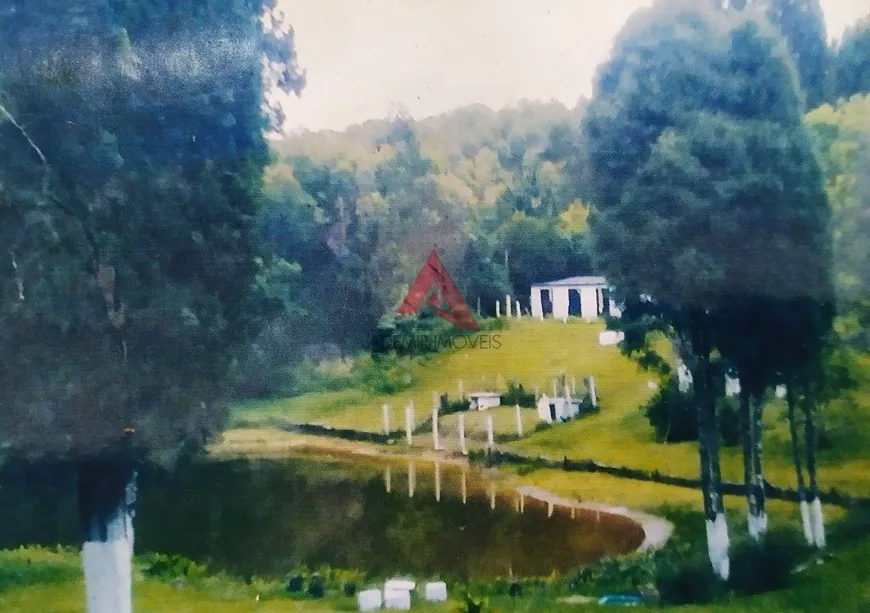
{"x": 365, "y": 57}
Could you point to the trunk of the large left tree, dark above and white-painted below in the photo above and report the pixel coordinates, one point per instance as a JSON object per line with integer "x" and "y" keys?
{"x": 107, "y": 495}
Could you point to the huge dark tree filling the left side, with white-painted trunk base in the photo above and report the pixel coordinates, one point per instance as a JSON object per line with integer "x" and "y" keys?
{"x": 131, "y": 151}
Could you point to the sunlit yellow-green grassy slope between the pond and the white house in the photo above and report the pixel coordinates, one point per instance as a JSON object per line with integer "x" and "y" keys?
{"x": 534, "y": 353}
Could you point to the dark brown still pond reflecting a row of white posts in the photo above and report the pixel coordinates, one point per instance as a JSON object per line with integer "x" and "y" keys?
{"x": 266, "y": 517}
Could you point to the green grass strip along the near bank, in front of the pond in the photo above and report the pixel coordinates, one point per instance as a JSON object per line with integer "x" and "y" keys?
{"x": 41, "y": 581}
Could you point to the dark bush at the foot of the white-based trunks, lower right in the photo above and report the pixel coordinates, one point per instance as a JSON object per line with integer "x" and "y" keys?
{"x": 762, "y": 567}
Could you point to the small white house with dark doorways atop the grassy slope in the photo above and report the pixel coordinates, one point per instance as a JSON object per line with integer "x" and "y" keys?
{"x": 587, "y": 297}
